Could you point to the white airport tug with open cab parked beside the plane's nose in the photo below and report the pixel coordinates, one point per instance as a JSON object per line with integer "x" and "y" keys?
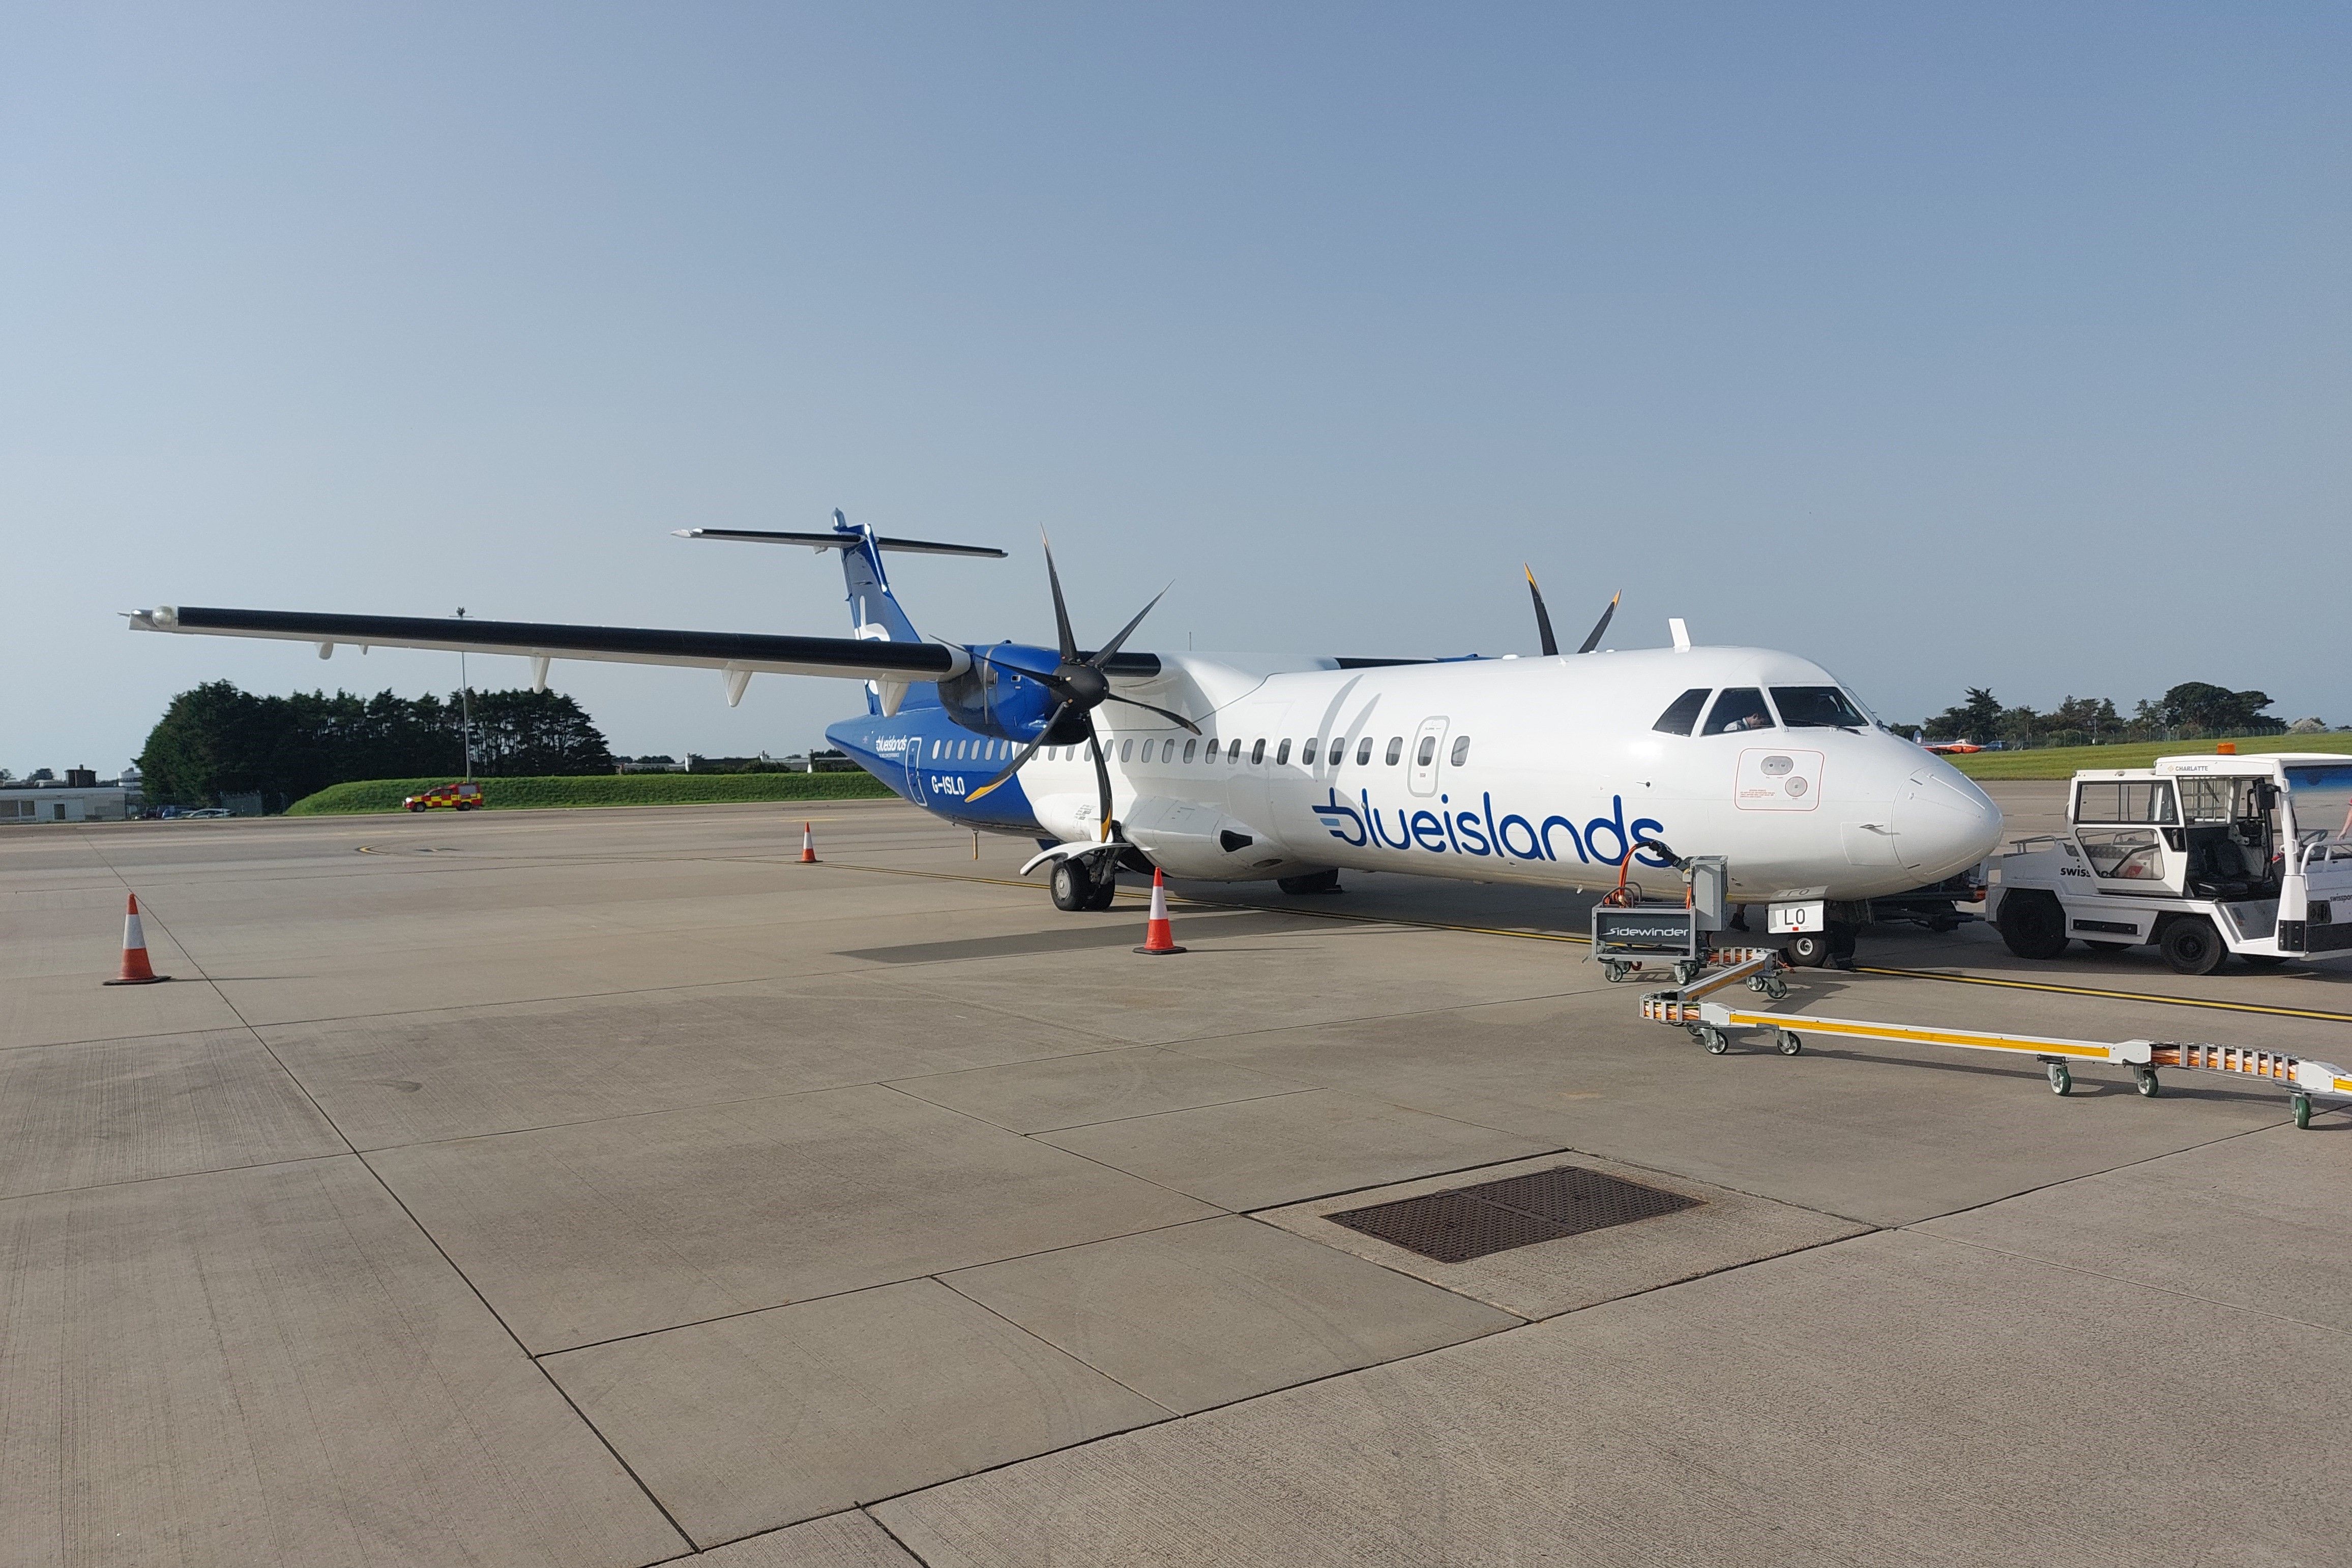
{"x": 2203, "y": 857}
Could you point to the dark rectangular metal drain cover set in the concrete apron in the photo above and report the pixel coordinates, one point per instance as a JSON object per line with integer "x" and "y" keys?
{"x": 1516, "y": 1212}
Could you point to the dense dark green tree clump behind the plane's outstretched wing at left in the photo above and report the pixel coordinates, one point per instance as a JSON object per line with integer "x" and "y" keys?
{"x": 225, "y": 742}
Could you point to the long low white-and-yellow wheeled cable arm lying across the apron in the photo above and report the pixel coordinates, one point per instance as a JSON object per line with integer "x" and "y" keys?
{"x": 2301, "y": 1078}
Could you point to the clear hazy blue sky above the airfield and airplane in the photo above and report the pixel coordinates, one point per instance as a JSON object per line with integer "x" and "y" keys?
{"x": 1977, "y": 347}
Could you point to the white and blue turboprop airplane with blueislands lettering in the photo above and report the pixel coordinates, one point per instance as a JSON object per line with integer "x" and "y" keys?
{"x": 1234, "y": 768}
